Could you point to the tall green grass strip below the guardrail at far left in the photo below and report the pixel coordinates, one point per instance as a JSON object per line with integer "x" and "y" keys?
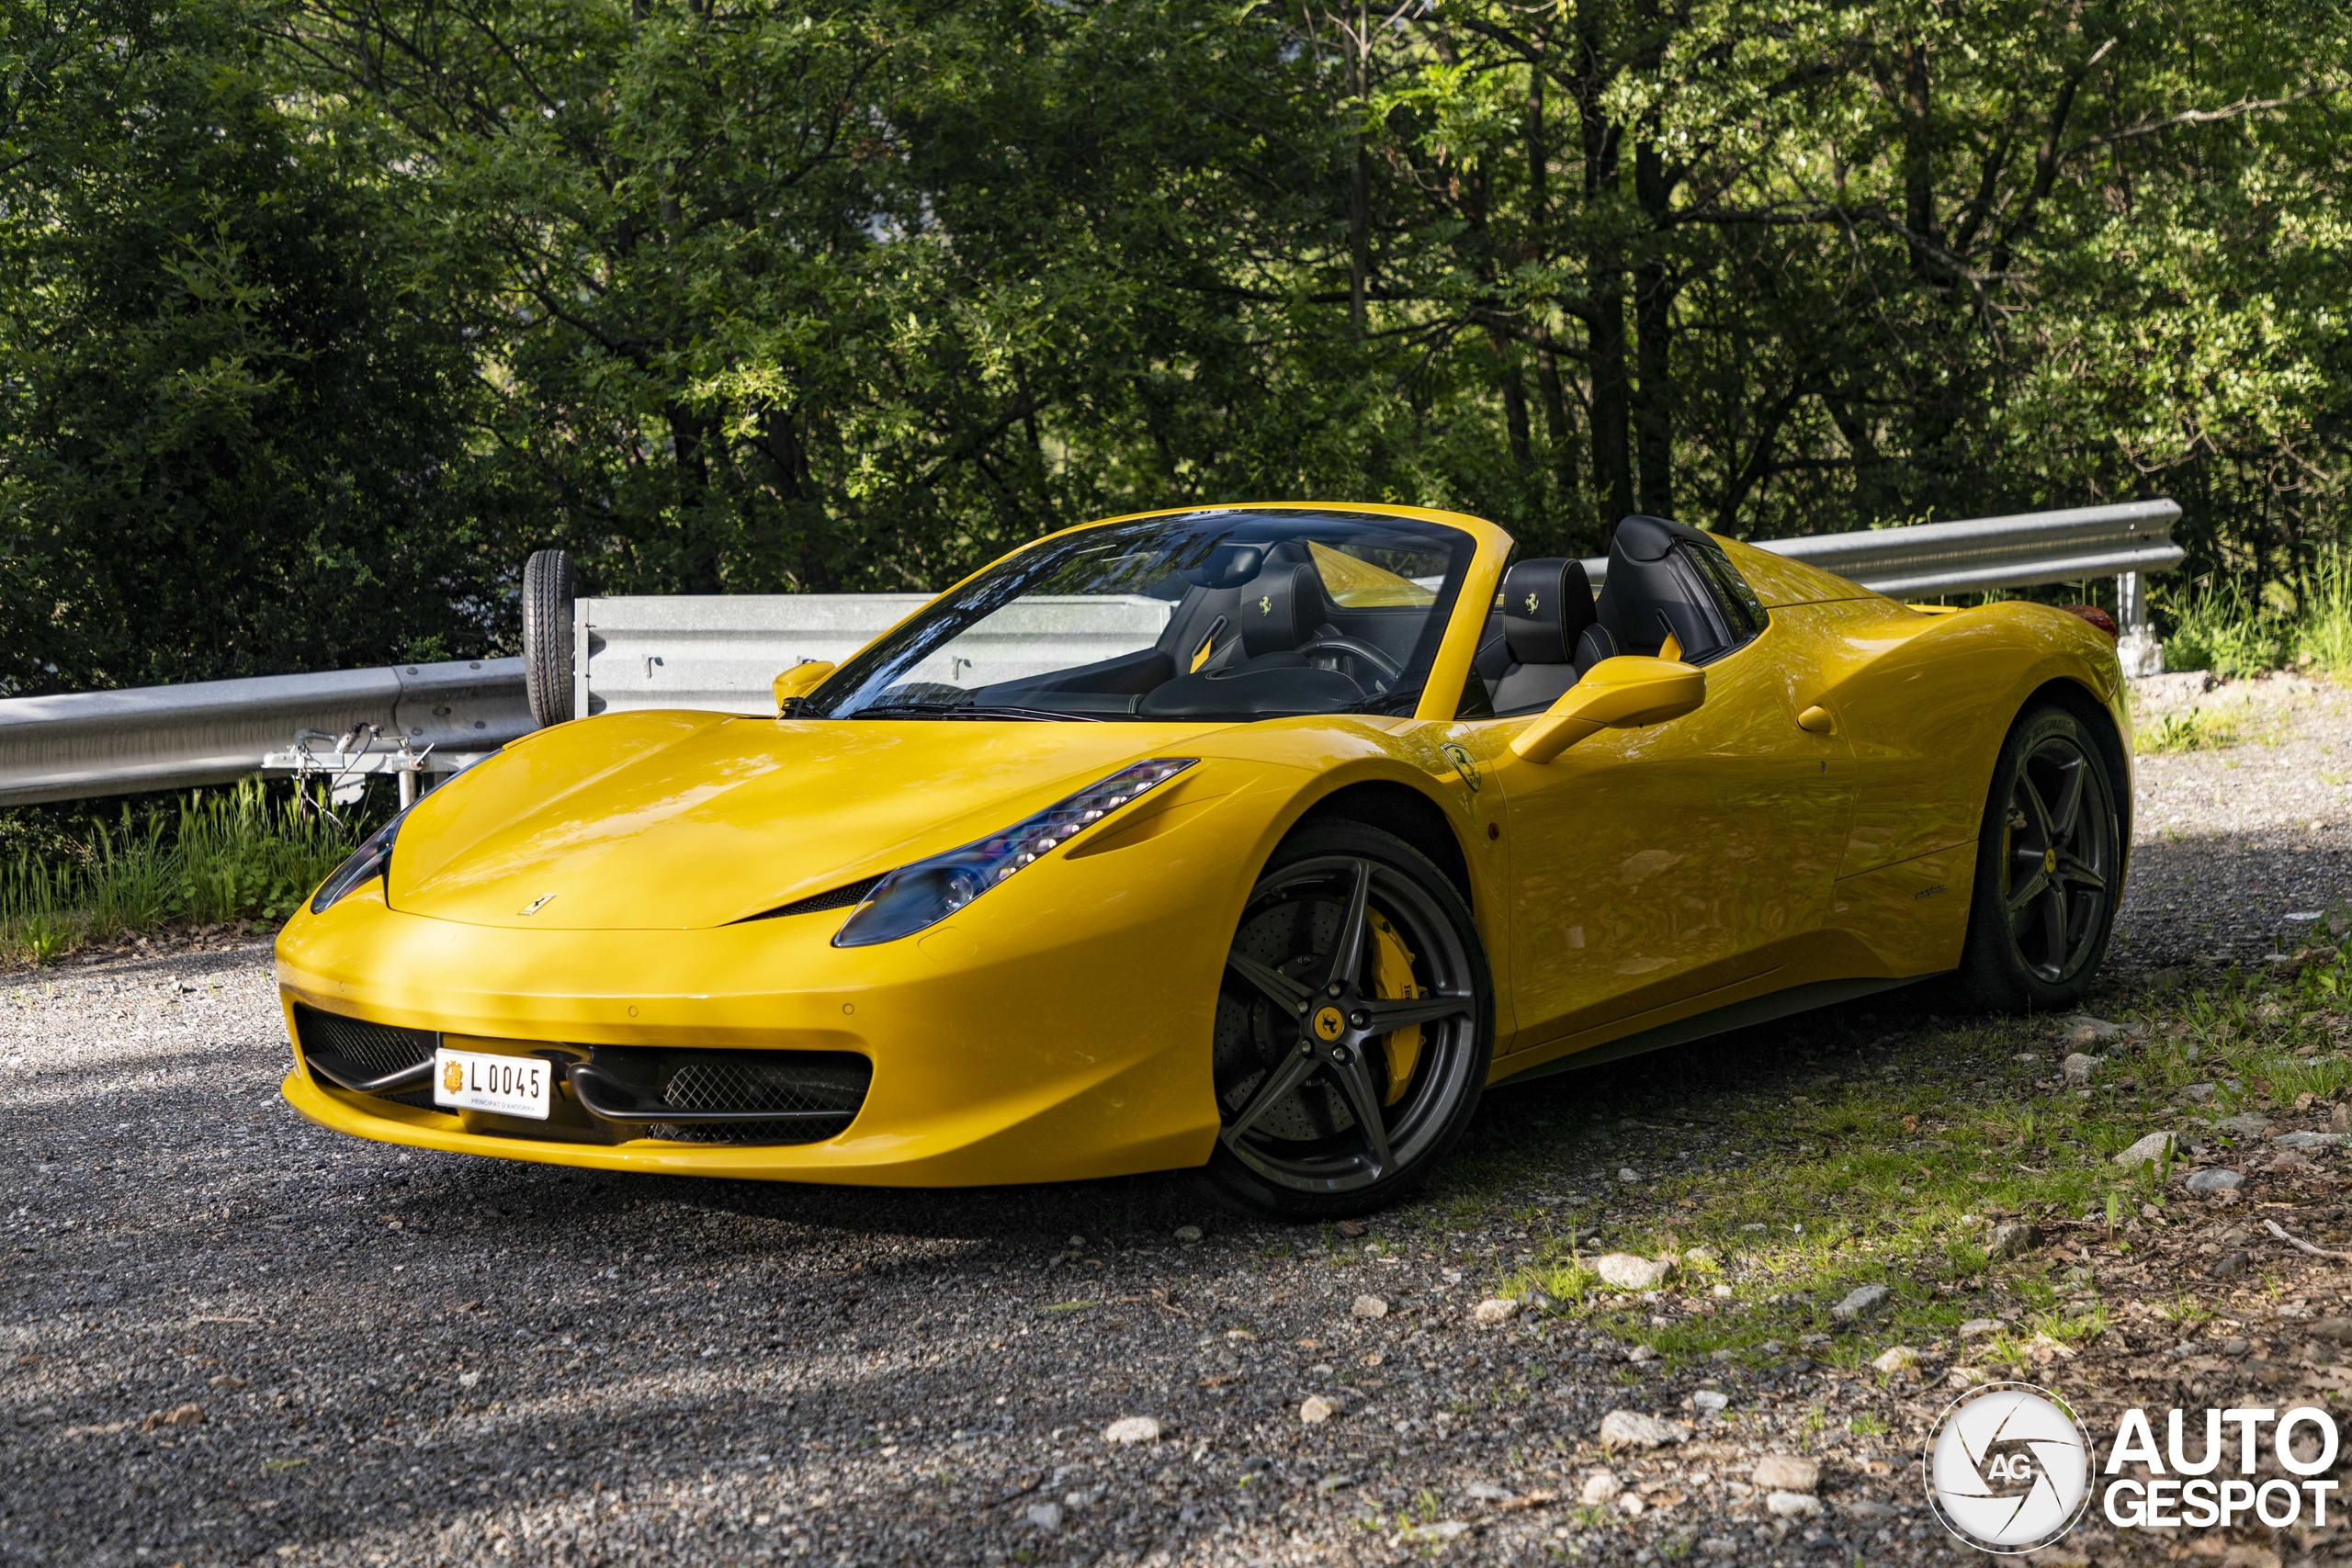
{"x": 236, "y": 857}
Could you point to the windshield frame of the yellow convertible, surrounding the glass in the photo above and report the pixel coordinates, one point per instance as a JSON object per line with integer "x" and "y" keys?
{"x": 1469, "y": 549}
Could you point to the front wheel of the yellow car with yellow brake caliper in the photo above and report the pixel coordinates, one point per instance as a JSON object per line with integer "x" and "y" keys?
{"x": 1349, "y": 930}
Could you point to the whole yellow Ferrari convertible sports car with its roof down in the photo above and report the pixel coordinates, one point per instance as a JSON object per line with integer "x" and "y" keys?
{"x": 1252, "y": 840}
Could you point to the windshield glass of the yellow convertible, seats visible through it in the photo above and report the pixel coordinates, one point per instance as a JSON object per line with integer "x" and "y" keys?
{"x": 1229, "y": 615}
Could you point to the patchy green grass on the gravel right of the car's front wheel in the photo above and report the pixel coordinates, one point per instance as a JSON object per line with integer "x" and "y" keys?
{"x": 1897, "y": 1174}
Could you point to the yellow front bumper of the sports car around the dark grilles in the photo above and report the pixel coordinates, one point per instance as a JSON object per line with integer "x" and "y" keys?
{"x": 1057, "y": 1031}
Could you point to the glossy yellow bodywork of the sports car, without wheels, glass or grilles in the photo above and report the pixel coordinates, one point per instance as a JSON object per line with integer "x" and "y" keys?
{"x": 606, "y": 885}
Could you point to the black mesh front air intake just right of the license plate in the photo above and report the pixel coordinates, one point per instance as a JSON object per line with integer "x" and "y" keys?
{"x": 726, "y": 1097}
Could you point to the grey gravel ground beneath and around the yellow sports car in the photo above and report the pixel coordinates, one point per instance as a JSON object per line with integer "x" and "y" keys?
{"x": 232, "y": 1336}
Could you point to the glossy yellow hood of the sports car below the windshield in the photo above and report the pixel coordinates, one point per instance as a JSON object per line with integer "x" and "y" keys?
{"x": 697, "y": 819}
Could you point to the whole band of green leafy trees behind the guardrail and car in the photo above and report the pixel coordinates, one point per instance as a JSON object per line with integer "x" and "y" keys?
{"x": 319, "y": 316}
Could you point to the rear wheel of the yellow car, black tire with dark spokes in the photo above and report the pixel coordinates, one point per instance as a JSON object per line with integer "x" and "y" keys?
{"x": 2050, "y": 866}
